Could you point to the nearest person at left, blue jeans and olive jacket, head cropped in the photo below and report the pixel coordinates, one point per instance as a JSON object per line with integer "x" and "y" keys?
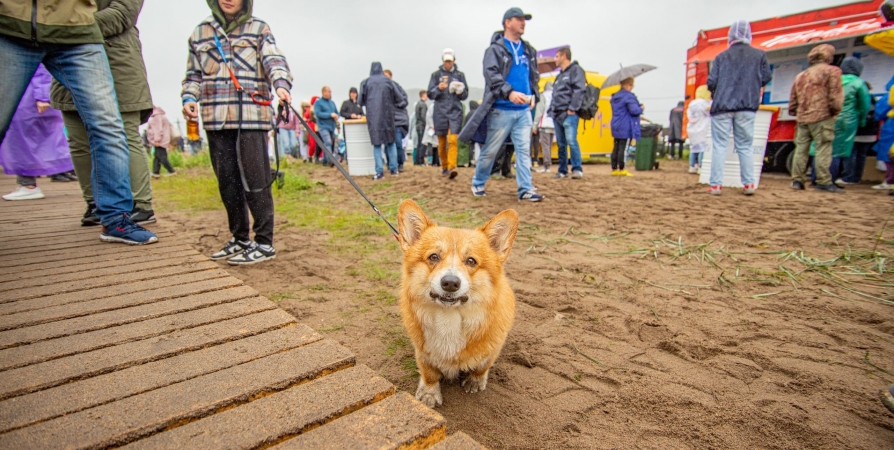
{"x": 64, "y": 37}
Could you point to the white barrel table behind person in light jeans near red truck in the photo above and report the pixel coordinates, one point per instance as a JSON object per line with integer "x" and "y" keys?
{"x": 731, "y": 171}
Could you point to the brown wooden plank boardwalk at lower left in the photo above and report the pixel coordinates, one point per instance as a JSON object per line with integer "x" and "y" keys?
{"x": 106, "y": 345}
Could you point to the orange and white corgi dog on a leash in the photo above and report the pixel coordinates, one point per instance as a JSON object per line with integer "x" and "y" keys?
{"x": 455, "y": 301}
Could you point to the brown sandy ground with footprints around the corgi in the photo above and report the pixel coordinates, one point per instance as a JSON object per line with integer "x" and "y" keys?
{"x": 650, "y": 314}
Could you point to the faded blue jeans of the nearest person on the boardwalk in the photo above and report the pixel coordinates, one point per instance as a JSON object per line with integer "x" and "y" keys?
{"x": 84, "y": 71}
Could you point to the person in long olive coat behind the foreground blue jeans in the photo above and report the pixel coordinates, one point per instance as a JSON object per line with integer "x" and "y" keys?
{"x": 117, "y": 21}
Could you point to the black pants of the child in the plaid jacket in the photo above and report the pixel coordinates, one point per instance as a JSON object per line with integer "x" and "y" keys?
{"x": 237, "y": 202}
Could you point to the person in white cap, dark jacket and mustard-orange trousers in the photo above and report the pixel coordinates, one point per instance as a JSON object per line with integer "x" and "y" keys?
{"x": 448, "y": 89}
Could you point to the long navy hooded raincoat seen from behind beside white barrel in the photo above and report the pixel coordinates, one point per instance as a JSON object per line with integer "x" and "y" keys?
{"x": 381, "y": 98}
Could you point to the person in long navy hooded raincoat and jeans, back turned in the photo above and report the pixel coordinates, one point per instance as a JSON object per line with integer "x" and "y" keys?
{"x": 381, "y": 99}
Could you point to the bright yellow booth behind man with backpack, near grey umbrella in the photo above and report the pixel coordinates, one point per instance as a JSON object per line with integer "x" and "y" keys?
{"x": 594, "y": 136}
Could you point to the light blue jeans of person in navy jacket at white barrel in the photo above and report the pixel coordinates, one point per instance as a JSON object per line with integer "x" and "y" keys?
{"x": 742, "y": 125}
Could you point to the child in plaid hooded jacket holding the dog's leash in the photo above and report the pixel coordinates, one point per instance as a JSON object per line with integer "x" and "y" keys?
{"x": 231, "y": 39}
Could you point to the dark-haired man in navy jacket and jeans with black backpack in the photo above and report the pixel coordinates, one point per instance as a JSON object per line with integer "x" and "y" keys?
{"x": 568, "y": 97}
